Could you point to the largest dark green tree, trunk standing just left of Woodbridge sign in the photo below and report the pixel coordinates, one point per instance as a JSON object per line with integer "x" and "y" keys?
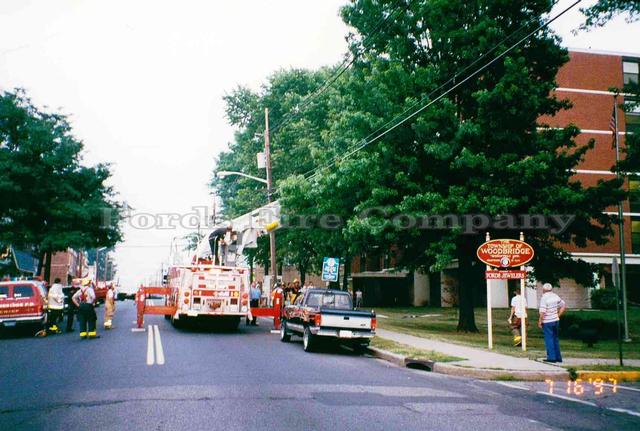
{"x": 481, "y": 150}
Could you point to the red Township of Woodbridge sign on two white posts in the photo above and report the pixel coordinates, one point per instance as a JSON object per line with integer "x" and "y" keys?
{"x": 503, "y": 254}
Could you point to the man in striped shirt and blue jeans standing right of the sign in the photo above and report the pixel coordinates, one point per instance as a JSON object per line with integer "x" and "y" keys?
{"x": 551, "y": 309}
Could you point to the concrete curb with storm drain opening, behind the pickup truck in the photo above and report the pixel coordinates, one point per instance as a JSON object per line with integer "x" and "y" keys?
{"x": 477, "y": 373}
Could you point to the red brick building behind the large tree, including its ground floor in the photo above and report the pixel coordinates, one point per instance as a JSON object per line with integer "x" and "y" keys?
{"x": 585, "y": 80}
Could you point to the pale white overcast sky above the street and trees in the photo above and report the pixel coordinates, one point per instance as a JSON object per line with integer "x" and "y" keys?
{"x": 143, "y": 81}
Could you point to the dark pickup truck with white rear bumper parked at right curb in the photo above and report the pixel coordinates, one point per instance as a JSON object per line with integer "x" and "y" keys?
{"x": 327, "y": 314}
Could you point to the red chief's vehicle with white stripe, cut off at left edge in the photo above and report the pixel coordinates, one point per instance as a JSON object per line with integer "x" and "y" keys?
{"x": 23, "y": 303}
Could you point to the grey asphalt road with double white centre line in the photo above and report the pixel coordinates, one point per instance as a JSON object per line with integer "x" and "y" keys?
{"x": 205, "y": 379}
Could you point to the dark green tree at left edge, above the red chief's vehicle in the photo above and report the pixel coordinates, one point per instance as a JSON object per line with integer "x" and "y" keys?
{"x": 51, "y": 201}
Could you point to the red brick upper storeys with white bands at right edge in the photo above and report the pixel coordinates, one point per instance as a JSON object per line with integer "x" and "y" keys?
{"x": 586, "y": 80}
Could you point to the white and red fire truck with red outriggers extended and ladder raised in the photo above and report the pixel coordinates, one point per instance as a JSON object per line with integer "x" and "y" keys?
{"x": 216, "y": 284}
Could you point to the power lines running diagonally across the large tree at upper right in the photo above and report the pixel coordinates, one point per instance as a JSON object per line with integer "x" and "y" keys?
{"x": 379, "y": 134}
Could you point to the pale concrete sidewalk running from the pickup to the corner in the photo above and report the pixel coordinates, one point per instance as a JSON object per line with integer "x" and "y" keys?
{"x": 478, "y": 362}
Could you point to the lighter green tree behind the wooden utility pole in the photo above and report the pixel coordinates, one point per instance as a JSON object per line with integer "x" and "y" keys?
{"x": 298, "y": 124}
